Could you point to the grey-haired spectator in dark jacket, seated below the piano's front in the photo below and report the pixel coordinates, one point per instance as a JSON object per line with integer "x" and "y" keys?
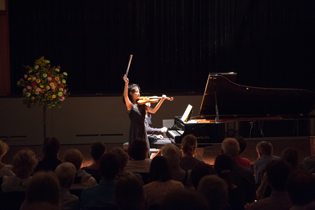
{"x": 241, "y": 176}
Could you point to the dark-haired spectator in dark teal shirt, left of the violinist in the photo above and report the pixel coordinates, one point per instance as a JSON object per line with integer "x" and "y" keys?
{"x": 102, "y": 195}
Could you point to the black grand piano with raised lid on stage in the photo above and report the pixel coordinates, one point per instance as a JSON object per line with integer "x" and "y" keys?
{"x": 229, "y": 109}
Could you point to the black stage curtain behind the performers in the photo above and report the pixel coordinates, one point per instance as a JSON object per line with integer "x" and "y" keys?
{"x": 175, "y": 43}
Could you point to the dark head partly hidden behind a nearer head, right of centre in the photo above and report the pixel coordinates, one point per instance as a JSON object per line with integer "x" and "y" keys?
{"x": 199, "y": 171}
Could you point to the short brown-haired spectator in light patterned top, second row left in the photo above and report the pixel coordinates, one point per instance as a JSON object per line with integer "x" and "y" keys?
{"x": 82, "y": 179}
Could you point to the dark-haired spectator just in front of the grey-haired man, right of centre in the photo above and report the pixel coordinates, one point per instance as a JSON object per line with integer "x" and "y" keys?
{"x": 223, "y": 165}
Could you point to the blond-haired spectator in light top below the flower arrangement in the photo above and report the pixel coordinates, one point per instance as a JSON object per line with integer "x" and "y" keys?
{"x": 24, "y": 162}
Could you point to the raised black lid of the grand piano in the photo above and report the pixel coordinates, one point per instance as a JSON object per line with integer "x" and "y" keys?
{"x": 237, "y": 100}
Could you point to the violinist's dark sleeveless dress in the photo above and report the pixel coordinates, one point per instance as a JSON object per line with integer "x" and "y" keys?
{"x": 137, "y": 128}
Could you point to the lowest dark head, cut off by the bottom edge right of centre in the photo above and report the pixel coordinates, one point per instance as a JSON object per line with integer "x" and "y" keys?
{"x": 185, "y": 200}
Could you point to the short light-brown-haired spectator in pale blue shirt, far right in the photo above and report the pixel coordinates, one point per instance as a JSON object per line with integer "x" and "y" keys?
{"x": 265, "y": 155}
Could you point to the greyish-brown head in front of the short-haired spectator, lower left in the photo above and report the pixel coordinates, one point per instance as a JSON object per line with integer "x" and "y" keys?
{"x": 65, "y": 173}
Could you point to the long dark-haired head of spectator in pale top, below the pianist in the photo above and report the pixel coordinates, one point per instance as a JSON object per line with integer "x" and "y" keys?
{"x": 160, "y": 169}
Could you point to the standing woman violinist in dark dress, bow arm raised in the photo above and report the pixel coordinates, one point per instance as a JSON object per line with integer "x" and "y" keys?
{"x": 136, "y": 111}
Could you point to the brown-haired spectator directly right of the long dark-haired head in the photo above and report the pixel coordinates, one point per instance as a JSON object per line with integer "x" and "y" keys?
{"x": 172, "y": 153}
